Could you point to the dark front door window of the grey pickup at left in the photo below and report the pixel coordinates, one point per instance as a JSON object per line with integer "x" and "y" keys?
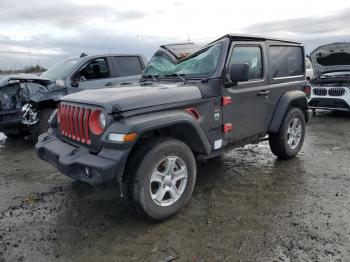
{"x": 95, "y": 69}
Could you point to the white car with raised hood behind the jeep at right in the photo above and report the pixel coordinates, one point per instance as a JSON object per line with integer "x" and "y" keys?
{"x": 330, "y": 87}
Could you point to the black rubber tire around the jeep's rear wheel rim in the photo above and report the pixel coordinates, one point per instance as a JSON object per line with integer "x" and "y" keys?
{"x": 278, "y": 141}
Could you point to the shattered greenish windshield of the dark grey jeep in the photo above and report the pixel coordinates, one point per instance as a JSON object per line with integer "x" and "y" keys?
{"x": 202, "y": 64}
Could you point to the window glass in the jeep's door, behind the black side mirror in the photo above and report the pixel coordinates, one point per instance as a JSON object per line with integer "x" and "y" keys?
{"x": 250, "y": 55}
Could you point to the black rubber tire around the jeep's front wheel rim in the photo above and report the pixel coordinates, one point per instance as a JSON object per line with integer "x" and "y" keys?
{"x": 140, "y": 167}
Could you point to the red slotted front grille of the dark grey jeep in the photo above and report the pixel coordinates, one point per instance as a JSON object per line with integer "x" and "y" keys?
{"x": 74, "y": 122}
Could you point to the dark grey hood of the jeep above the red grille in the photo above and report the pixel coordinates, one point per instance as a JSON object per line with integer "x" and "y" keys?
{"x": 136, "y": 96}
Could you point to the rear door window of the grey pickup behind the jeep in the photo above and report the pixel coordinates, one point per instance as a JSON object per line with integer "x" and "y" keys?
{"x": 128, "y": 65}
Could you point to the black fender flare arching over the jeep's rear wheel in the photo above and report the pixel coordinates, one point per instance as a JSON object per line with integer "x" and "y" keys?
{"x": 293, "y": 98}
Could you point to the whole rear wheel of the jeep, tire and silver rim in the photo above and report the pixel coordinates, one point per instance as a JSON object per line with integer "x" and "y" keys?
{"x": 287, "y": 142}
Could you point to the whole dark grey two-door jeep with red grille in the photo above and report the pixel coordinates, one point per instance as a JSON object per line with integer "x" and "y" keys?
{"x": 147, "y": 137}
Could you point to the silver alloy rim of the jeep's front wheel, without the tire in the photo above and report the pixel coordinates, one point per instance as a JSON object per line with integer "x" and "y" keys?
{"x": 168, "y": 181}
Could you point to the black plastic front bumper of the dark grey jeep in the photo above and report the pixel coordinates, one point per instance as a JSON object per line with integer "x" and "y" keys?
{"x": 78, "y": 163}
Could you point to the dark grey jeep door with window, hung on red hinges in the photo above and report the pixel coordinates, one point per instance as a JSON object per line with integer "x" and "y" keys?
{"x": 250, "y": 102}
